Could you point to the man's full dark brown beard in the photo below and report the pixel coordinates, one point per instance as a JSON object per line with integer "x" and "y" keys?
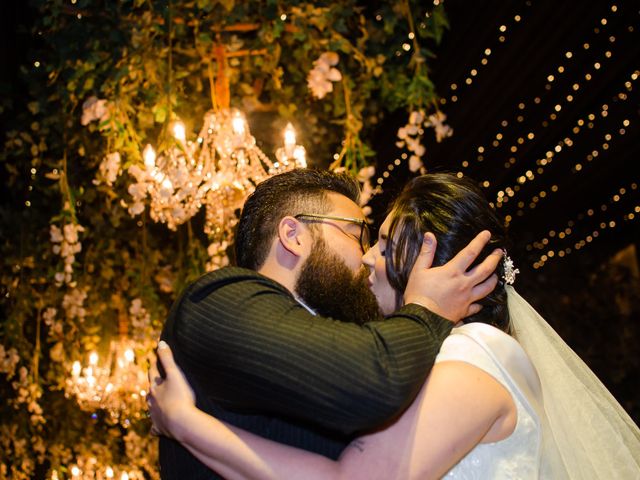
{"x": 331, "y": 289}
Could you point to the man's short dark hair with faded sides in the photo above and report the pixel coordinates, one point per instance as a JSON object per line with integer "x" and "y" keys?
{"x": 290, "y": 193}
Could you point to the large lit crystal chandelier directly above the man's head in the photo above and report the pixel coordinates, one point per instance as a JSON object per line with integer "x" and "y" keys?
{"x": 218, "y": 169}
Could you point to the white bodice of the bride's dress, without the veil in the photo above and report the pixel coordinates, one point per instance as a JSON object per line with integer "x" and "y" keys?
{"x": 498, "y": 354}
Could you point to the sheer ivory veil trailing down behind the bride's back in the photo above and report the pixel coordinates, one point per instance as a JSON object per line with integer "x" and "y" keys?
{"x": 586, "y": 433}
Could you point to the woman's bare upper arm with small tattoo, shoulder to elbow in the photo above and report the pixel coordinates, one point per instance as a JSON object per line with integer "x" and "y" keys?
{"x": 459, "y": 406}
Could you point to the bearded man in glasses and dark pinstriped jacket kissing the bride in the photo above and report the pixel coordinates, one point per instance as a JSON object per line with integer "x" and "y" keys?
{"x": 263, "y": 346}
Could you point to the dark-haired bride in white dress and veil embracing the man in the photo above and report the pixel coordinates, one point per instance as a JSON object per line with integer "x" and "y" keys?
{"x": 492, "y": 407}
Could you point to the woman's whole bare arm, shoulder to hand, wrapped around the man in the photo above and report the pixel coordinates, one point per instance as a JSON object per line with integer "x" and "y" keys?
{"x": 459, "y": 406}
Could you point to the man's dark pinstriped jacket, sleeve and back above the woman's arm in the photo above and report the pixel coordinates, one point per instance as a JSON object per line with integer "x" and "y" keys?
{"x": 251, "y": 347}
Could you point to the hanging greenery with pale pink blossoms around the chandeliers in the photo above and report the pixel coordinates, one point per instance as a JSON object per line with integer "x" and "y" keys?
{"x": 84, "y": 264}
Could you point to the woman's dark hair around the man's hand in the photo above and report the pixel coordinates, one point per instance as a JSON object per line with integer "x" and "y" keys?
{"x": 455, "y": 211}
